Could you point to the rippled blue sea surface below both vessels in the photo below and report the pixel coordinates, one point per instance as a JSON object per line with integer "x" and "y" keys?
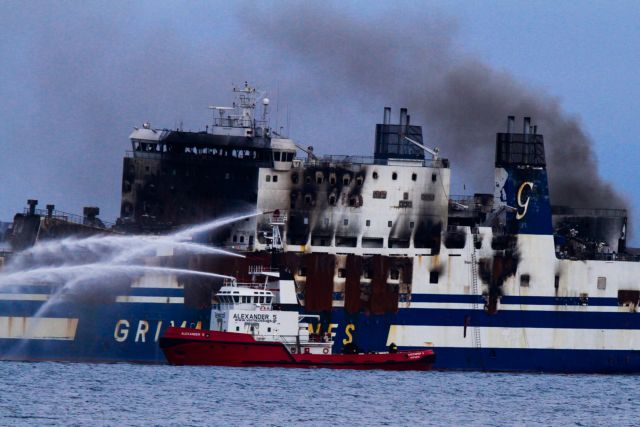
{"x": 86, "y": 394}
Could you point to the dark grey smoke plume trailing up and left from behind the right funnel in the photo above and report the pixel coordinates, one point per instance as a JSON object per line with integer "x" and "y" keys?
{"x": 461, "y": 101}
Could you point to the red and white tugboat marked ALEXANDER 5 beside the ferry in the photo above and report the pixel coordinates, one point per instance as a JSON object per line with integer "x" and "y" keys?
{"x": 249, "y": 328}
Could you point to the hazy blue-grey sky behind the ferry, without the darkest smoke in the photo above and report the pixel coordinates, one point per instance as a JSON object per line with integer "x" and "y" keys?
{"x": 76, "y": 77}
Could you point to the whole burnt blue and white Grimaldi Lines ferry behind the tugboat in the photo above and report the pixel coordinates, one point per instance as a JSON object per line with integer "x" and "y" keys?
{"x": 378, "y": 248}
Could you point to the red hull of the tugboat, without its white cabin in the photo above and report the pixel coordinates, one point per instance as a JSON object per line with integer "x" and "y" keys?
{"x": 185, "y": 346}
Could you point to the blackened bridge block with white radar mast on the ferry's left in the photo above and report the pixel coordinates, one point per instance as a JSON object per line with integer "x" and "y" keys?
{"x": 173, "y": 177}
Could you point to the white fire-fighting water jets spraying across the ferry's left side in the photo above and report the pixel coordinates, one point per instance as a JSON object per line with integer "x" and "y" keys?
{"x": 66, "y": 262}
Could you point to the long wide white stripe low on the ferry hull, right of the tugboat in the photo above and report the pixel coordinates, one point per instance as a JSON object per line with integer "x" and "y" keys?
{"x": 517, "y": 338}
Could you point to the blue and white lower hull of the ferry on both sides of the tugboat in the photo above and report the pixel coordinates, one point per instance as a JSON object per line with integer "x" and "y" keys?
{"x": 130, "y": 332}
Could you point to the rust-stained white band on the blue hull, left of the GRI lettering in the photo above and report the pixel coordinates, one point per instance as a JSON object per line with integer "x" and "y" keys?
{"x": 38, "y": 328}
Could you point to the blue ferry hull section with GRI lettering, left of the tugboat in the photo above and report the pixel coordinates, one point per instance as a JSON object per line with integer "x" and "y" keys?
{"x": 105, "y": 332}
